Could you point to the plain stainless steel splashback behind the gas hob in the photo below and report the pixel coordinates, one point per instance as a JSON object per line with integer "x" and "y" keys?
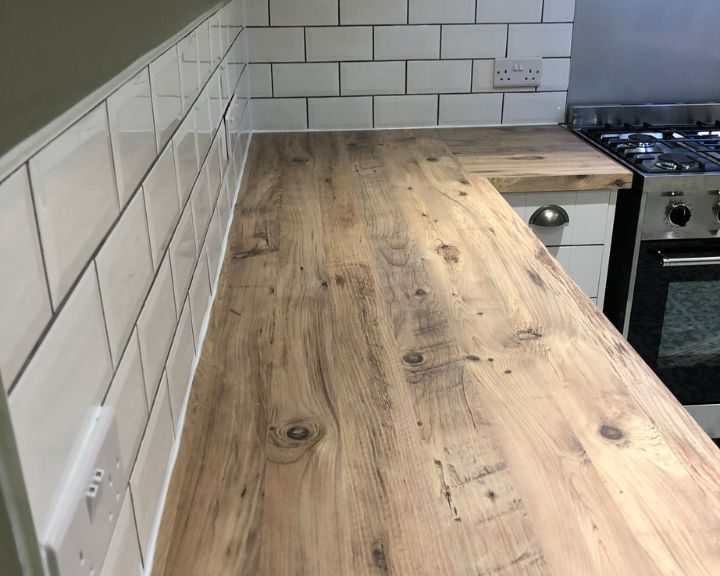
{"x": 645, "y": 51}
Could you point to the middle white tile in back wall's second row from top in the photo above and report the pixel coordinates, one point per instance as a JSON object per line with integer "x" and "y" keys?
{"x": 407, "y": 42}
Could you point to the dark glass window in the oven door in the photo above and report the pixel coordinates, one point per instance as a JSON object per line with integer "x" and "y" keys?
{"x": 691, "y": 325}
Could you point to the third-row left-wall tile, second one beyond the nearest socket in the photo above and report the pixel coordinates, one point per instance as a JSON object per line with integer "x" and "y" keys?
{"x": 156, "y": 327}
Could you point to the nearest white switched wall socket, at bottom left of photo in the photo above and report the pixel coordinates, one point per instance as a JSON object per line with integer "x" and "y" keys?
{"x": 87, "y": 507}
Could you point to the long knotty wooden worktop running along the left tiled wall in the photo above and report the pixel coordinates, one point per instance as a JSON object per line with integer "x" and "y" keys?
{"x": 398, "y": 379}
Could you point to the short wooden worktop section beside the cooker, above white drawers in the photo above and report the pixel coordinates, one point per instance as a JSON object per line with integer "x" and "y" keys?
{"x": 533, "y": 159}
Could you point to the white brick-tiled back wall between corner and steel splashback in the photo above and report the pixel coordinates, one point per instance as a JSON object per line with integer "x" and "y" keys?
{"x": 345, "y": 64}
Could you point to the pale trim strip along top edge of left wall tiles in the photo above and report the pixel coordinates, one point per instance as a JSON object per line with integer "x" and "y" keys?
{"x": 24, "y": 150}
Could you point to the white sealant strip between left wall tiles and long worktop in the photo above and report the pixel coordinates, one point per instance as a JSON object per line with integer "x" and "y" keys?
{"x": 180, "y": 427}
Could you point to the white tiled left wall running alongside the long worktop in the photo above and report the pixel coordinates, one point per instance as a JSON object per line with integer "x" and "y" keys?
{"x": 112, "y": 236}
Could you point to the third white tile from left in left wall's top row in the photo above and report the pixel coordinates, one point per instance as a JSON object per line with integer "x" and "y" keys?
{"x": 132, "y": 131}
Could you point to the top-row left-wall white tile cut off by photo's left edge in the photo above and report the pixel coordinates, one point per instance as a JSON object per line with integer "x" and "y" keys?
{"x": 24, "y": 299}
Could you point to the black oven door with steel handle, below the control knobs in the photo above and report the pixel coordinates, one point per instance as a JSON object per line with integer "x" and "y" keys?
{"x": 675, "y": 321}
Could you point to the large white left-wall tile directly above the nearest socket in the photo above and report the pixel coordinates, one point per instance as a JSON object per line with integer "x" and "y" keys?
{"x": 52, "y": 401}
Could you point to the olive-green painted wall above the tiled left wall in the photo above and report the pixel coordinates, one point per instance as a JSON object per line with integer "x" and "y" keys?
{"x": 53, "y": 53}
